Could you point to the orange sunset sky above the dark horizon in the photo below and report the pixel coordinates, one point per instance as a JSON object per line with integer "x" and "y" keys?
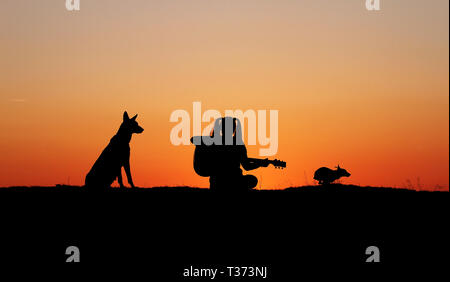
{"x": 368, "y": 90}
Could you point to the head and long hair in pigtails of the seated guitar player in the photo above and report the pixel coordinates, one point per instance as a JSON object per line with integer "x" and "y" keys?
{"x": 230, "y": 129}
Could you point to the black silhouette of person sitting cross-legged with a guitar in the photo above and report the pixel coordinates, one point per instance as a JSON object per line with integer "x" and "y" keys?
{"x": 222, "y": 162}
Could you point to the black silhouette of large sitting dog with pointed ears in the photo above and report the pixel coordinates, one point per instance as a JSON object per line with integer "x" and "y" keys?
{"x": 116, "y": 155}
